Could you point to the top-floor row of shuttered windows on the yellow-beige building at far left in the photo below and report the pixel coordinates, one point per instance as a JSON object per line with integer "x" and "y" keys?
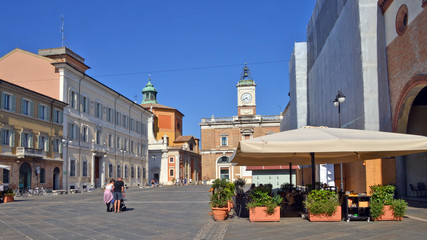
{"x": 8, "y": 103}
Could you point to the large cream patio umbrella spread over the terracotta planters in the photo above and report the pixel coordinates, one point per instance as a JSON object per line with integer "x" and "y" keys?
{"x": 322, "y": 145}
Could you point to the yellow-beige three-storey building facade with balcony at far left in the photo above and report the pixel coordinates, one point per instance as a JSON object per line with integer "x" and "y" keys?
{"x": 31, "y": 131}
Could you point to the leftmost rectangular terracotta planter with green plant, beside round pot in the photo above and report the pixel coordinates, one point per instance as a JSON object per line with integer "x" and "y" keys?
{"x": 263, "y": 207}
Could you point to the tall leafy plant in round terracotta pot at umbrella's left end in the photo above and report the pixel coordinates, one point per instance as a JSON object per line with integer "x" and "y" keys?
{"x": 222, "y": 192}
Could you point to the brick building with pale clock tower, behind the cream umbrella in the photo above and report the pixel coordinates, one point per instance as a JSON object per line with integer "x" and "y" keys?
{"x": 220, "y": 136}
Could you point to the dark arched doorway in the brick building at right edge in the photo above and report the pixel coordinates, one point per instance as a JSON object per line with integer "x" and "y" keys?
{"x": 416, "y": 164}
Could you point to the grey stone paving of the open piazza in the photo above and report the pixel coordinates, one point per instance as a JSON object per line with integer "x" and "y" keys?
{"x": 171, "y": 213}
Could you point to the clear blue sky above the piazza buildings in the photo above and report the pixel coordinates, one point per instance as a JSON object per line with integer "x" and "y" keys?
{"x": 195, "y": 50}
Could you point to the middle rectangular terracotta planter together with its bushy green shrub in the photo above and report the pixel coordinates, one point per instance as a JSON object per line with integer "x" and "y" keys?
{"x": 323, "y": 206}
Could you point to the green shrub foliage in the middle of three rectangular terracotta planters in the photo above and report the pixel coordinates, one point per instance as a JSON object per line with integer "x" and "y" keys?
{"x": 322, "y": 202}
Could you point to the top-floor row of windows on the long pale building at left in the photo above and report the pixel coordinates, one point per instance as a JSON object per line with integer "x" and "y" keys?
{"x": 112, "y": 116}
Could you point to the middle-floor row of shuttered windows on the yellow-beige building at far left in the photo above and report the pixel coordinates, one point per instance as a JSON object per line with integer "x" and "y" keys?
{"x": 7, "y": 137}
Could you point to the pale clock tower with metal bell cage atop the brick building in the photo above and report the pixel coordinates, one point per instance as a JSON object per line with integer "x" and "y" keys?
{"x": 246, "y": 105}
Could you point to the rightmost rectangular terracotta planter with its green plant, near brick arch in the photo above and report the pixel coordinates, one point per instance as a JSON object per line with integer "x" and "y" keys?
{"x": 383, "y": 206}
